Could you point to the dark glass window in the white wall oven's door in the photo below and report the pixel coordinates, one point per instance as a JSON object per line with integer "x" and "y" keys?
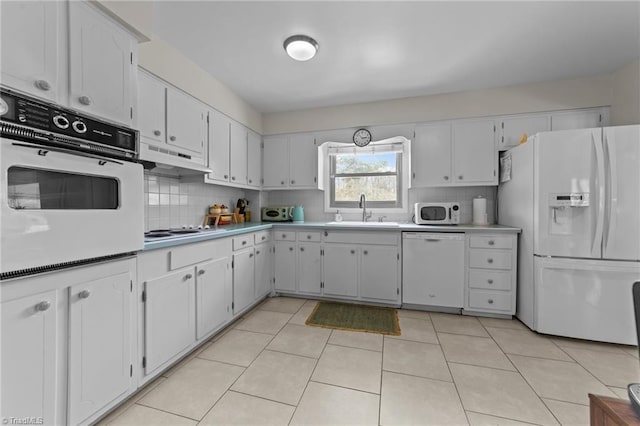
{"x": 36, "y": 189}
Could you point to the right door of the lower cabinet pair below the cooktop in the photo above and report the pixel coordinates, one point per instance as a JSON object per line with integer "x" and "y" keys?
{"x": 213, "y": 296}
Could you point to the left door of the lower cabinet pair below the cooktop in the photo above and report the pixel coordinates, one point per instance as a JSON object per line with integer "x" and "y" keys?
{"x": 170, "y": 317}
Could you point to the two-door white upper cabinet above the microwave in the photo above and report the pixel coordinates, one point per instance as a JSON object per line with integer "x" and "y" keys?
{"x": 459, "y": 154}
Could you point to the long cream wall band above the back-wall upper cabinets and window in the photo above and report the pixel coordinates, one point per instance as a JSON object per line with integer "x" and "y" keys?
{"x": 546, "y": 96}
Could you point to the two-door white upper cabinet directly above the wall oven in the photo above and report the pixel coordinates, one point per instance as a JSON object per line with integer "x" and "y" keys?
{"x": 99, "y": 76}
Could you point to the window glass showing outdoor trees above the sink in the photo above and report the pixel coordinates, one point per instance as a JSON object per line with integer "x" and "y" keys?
{"x": 375, "y": 175}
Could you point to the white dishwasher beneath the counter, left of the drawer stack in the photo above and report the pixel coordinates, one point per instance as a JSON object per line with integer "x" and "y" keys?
{"x": 433, "y": 269}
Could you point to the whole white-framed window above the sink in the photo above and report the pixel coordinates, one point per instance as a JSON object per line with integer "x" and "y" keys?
{"x": 380, "y": 171}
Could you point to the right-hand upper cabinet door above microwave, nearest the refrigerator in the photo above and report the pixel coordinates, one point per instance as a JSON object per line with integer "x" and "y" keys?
{"x": 475, "y": 158}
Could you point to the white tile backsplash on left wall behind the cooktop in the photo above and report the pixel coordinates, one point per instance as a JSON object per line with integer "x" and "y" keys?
{"x": 171, "y": 202}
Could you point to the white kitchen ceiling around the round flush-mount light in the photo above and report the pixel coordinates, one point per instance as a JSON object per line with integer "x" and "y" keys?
{"x": 394, "y": 49}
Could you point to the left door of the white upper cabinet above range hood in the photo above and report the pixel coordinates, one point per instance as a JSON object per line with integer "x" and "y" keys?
{"x": 151, "y": 106}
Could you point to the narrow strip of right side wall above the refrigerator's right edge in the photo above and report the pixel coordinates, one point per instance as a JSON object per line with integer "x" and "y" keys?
{"x": 625, "y": 108}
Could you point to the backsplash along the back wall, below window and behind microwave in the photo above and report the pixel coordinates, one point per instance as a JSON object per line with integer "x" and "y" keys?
{"x": 313, "y": 202}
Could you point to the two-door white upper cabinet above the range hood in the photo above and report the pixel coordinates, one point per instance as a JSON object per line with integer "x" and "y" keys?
{"x": 170, "y": 119}
